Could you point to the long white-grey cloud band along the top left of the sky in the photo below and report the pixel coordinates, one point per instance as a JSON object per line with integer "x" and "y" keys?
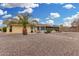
{"x": 24, "y": 5}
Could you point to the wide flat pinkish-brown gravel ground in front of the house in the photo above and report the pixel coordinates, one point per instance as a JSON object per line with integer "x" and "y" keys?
{"x": 40, "y": 44}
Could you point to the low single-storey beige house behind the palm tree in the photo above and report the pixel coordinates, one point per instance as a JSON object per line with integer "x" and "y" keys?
{"x": 17, "y": 28}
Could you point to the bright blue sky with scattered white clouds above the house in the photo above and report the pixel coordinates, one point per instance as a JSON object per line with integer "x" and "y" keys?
{"x": 51, "y": 13}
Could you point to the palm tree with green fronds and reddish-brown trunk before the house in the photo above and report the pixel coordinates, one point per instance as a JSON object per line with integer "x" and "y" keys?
{"x": 23, "y": 19}
